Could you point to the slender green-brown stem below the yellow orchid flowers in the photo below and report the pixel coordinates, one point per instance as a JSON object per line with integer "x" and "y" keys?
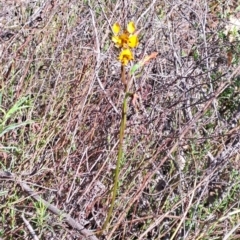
{"x": 120, "y": 149}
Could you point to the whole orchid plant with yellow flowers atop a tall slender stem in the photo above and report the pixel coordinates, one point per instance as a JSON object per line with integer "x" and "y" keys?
{"x": 125, "y": 40}
